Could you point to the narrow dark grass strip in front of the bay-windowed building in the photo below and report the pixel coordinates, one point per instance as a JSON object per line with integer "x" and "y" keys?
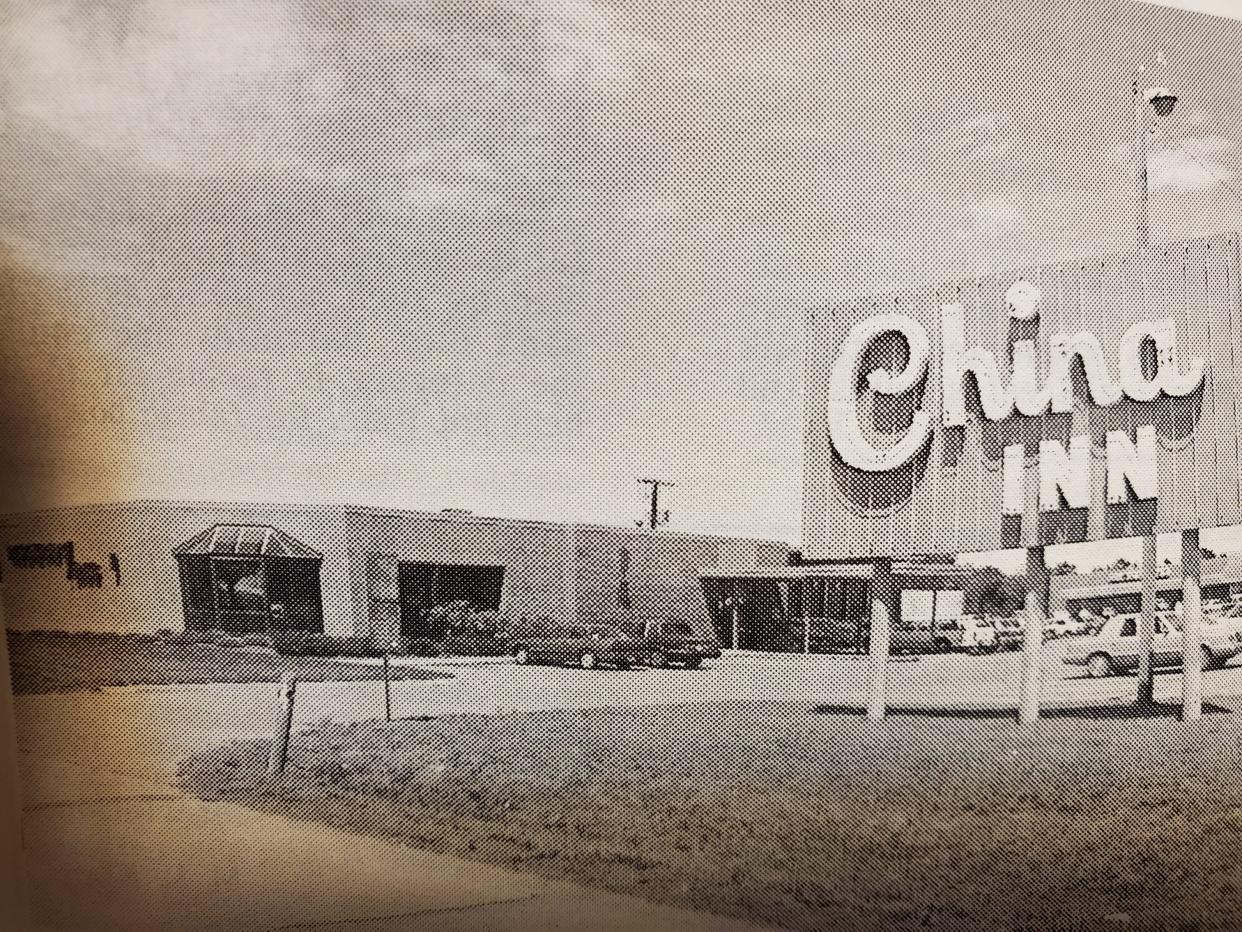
{"x": 59, "y": 663}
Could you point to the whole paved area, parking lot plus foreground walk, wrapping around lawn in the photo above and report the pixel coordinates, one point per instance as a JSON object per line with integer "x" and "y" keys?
{"x": 114, "y": 844}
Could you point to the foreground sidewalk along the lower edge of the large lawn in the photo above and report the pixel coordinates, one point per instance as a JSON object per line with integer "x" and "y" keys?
{"x": 111, "y": 852}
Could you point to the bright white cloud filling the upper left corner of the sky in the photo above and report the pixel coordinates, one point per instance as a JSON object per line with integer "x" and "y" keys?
{"x": 173, "y": 81}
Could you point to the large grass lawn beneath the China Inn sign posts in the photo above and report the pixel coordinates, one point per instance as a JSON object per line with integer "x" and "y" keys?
{"x": 807, "y": 820}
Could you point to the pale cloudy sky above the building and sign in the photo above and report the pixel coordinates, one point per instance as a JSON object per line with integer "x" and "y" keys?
{"x": 512, "y": 257}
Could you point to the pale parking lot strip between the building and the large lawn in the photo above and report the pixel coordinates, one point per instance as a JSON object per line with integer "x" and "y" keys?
{"x": 150, "y": 729}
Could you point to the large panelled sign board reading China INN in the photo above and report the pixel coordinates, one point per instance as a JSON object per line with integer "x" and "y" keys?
{"x": 1069, "y": 403}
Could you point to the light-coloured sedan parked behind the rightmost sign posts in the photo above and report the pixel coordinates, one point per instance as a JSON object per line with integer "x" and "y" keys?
{"x": 1116, "y": 649}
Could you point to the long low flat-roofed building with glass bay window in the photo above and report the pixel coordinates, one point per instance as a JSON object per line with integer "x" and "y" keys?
{"x": 147, "y": 566}
